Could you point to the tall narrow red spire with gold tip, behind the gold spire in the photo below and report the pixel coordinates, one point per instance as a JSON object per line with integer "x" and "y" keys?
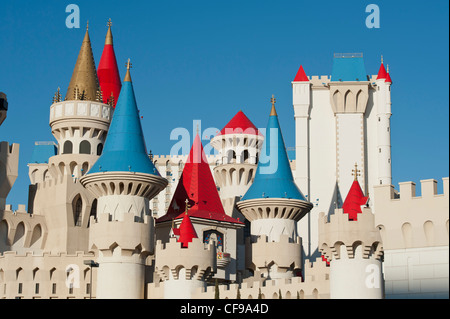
{"x": 108, "y": 72}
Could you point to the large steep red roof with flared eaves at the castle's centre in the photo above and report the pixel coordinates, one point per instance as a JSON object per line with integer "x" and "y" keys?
{"x": 197, "y": 185}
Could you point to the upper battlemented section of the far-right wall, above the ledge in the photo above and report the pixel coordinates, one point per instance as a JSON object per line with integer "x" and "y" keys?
{"x": 407, "y": 220}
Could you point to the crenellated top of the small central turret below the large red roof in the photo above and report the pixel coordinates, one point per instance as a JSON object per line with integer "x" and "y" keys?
{"x": 197, "y": 262}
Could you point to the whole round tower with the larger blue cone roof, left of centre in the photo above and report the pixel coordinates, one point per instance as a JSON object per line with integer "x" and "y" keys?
{"x": 123, "y": 179}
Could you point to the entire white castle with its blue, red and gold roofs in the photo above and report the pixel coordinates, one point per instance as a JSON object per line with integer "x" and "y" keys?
{"x": 107, "y": 219}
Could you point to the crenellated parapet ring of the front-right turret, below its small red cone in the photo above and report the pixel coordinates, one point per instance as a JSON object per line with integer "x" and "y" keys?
{"x": 353, "y": 237}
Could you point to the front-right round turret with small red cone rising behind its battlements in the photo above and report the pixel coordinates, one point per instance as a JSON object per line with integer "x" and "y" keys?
{"x": 352, "y": 244}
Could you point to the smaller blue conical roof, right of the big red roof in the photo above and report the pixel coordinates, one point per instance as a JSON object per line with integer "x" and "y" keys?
{"x": 273, "y": 177}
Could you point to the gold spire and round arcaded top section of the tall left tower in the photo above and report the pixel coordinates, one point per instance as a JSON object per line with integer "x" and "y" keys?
{"x": 80, "y": 122}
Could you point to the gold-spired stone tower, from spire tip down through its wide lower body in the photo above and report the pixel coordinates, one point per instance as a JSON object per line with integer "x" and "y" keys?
{"x": 79, "y": 124}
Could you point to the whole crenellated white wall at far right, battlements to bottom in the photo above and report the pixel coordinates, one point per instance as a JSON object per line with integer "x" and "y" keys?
{"x": 415, "y": 234}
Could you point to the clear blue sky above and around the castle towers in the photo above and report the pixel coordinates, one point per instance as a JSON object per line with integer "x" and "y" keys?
{"x": 206, "y": 60}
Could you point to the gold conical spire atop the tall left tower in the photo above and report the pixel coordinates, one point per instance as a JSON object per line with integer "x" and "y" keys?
{"x": 84, "y": 75}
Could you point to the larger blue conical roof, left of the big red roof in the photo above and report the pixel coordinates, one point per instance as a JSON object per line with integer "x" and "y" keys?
{"x": 125, "y": 149}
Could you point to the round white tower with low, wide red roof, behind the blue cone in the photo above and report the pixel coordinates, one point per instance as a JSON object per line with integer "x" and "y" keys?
{"x": 238, "y": 143}
